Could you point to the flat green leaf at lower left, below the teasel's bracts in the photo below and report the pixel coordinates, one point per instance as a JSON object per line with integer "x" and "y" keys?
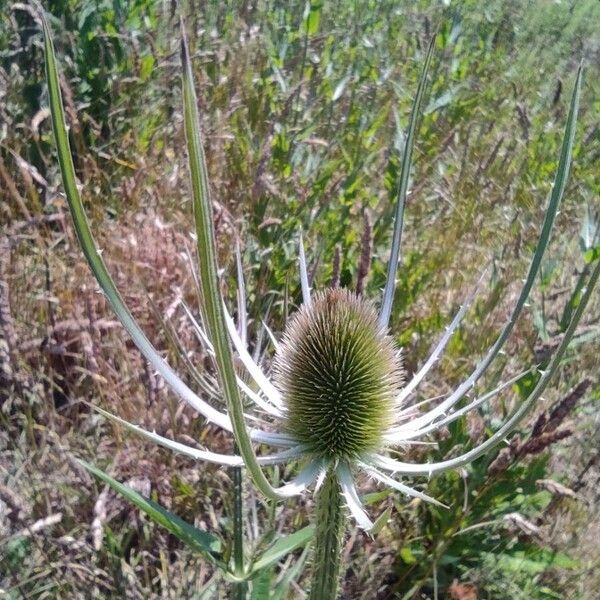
{"x": 200, "y": 541}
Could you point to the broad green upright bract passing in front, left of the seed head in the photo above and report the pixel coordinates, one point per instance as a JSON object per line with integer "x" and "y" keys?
{"x": 209, "y": 281}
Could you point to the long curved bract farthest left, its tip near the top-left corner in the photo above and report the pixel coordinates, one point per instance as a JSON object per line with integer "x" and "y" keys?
{"x": 91, "y": 253}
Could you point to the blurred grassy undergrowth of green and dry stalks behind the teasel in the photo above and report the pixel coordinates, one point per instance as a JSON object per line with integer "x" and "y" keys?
{"x": 304, "y": 109}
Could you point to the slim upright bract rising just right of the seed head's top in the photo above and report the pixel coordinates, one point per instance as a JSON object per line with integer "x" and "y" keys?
{"x": 390, "y": 283}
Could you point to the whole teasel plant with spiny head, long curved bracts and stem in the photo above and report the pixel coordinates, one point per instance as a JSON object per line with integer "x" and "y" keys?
{"x": 335, "y": 401}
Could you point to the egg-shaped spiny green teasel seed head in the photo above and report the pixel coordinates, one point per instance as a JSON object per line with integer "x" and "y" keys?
{"x": 339, "y": 374}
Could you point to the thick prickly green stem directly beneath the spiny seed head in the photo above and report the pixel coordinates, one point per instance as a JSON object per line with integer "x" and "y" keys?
{"x": 329, "y": 520}
